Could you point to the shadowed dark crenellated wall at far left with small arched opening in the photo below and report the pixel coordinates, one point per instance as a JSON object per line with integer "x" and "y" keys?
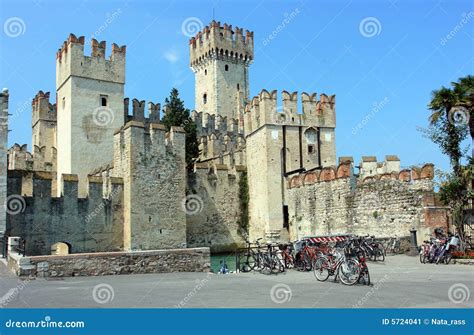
{"x": 90, "y": 224}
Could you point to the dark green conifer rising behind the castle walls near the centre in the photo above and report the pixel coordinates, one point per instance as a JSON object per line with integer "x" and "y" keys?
{"x": 176, "y": 114}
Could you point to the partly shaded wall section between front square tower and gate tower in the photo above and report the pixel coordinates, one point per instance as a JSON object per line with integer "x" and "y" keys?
{"x": 216, "y": 222}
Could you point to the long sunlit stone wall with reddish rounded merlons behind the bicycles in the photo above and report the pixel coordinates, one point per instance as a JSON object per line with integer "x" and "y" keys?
{"x": 334, "y": 201}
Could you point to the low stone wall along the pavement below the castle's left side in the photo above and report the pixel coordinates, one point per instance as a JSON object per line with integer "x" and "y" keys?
{"x": 112, "y": 263}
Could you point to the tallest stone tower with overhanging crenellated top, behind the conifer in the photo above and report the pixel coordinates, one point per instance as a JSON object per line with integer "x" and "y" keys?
{"x": 220, "y": 58}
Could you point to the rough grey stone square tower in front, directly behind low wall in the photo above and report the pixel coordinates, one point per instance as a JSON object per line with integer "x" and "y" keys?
{"x": 151, "y": 162}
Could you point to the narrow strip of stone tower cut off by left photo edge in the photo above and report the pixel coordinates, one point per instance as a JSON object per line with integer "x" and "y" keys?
{"x": 3, "y": 158}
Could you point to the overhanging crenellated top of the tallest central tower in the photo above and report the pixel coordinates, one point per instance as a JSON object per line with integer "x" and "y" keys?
{"x": 221, "y": 42}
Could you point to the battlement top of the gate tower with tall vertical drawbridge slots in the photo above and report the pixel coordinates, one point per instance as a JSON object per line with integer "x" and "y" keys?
{"x": 265, "y": 109}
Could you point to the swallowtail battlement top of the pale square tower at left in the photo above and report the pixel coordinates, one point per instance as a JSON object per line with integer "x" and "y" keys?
{"x": 71, "y": 61}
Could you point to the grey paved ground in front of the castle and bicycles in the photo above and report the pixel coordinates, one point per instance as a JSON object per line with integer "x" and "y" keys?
{"x": 399, "y": 282}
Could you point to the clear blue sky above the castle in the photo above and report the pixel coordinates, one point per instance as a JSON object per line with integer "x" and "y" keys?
{"x": 382, "y": 77}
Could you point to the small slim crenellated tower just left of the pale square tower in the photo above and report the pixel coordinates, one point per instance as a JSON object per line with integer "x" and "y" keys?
{"x": 43, "y": 123}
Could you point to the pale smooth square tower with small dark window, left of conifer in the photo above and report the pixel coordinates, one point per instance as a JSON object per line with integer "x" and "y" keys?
{"x": 90, "y": 93}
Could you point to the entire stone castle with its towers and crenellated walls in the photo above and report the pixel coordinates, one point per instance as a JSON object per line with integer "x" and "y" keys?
{"x": 103, "y": 177}
